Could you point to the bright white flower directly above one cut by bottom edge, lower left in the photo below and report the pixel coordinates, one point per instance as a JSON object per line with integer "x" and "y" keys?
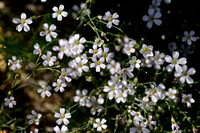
{"x": 62, "y": 117}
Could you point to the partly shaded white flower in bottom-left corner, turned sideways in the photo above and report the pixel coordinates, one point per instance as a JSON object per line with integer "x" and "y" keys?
{"x": 34, "y": 118}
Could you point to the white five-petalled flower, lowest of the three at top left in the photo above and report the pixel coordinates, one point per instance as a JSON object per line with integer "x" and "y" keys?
{"x": 48, "y": 32}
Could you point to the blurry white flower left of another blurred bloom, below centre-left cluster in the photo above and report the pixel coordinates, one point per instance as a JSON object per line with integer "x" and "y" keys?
{"x": 81, "y": 97}
